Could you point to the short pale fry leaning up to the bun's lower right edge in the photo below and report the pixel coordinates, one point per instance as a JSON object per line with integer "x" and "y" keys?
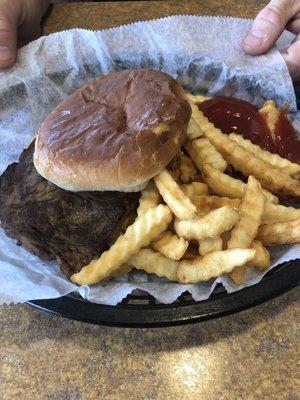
{"x": 178, "y": 202}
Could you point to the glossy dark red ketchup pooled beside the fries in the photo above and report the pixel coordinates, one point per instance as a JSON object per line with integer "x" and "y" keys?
{"x": 239, "y": 116}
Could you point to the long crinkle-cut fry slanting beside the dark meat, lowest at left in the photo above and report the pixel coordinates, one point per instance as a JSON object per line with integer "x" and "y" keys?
{"x": 140, "y": 234}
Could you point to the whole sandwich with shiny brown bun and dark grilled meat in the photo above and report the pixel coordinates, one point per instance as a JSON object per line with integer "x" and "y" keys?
{"x": 76, "y": 188}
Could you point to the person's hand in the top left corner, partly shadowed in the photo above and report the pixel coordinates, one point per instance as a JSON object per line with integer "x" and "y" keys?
{"x": 19, "y": 23}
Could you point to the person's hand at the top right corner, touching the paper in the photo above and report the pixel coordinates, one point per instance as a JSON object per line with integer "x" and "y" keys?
{"x": 268, "y": 26}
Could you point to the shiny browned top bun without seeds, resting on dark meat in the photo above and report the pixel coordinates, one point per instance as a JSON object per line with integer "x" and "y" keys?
{"x": 113, "y": 134}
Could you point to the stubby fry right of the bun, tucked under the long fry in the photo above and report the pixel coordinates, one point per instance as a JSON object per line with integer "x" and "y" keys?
{"x": 203, "y": 152}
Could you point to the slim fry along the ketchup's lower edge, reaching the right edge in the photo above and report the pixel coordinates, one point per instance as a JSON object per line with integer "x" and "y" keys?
{"x": 275, "y": 160}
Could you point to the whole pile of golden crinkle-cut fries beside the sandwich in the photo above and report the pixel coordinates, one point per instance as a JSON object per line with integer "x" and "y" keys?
{"x": 196, "y": 222}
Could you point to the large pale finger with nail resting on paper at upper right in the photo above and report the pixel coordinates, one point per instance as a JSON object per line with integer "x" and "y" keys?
{"x": 269, "y": 24}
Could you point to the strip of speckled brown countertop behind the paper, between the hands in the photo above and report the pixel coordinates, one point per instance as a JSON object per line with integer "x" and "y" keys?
{"x": 112, "y": 13}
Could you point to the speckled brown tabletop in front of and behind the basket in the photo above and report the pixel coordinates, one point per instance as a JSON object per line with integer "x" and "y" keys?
{"x": 250, "y": 355}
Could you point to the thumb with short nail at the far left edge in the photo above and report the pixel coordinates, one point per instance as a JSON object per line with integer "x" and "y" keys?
{"x": 8, "y": 39}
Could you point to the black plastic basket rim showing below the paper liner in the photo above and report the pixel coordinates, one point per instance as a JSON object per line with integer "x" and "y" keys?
{"x": 140, "y": 310}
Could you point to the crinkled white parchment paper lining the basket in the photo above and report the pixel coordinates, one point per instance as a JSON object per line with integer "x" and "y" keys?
{"x": 203, "y": 53}
